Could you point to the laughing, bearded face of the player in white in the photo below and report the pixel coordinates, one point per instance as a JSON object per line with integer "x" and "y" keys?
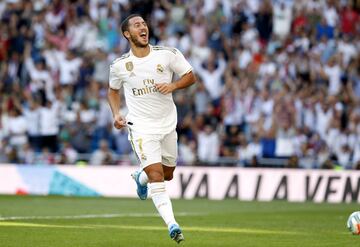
{"x": 138, "y": 32}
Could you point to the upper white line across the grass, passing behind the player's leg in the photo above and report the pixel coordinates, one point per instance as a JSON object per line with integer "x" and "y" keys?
{"x": 92, "y": 216}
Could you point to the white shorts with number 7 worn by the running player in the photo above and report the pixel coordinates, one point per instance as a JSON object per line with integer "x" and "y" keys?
{"x": 151, "y": 149}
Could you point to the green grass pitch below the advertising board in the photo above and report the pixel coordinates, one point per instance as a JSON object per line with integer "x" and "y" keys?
{"x": 30, "y": 221}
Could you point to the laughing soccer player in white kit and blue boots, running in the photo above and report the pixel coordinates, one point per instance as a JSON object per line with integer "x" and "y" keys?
{"x": 146, "y": 74}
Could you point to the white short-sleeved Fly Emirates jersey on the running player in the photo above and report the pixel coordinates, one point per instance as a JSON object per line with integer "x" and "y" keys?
{"x": 150, "y": 111}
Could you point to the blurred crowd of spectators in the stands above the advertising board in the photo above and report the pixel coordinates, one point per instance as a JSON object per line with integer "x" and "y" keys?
{"x": 277, "y": 80}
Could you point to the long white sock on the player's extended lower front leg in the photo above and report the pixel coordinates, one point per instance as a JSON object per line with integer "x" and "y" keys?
{"x": 162, "y": 202}
